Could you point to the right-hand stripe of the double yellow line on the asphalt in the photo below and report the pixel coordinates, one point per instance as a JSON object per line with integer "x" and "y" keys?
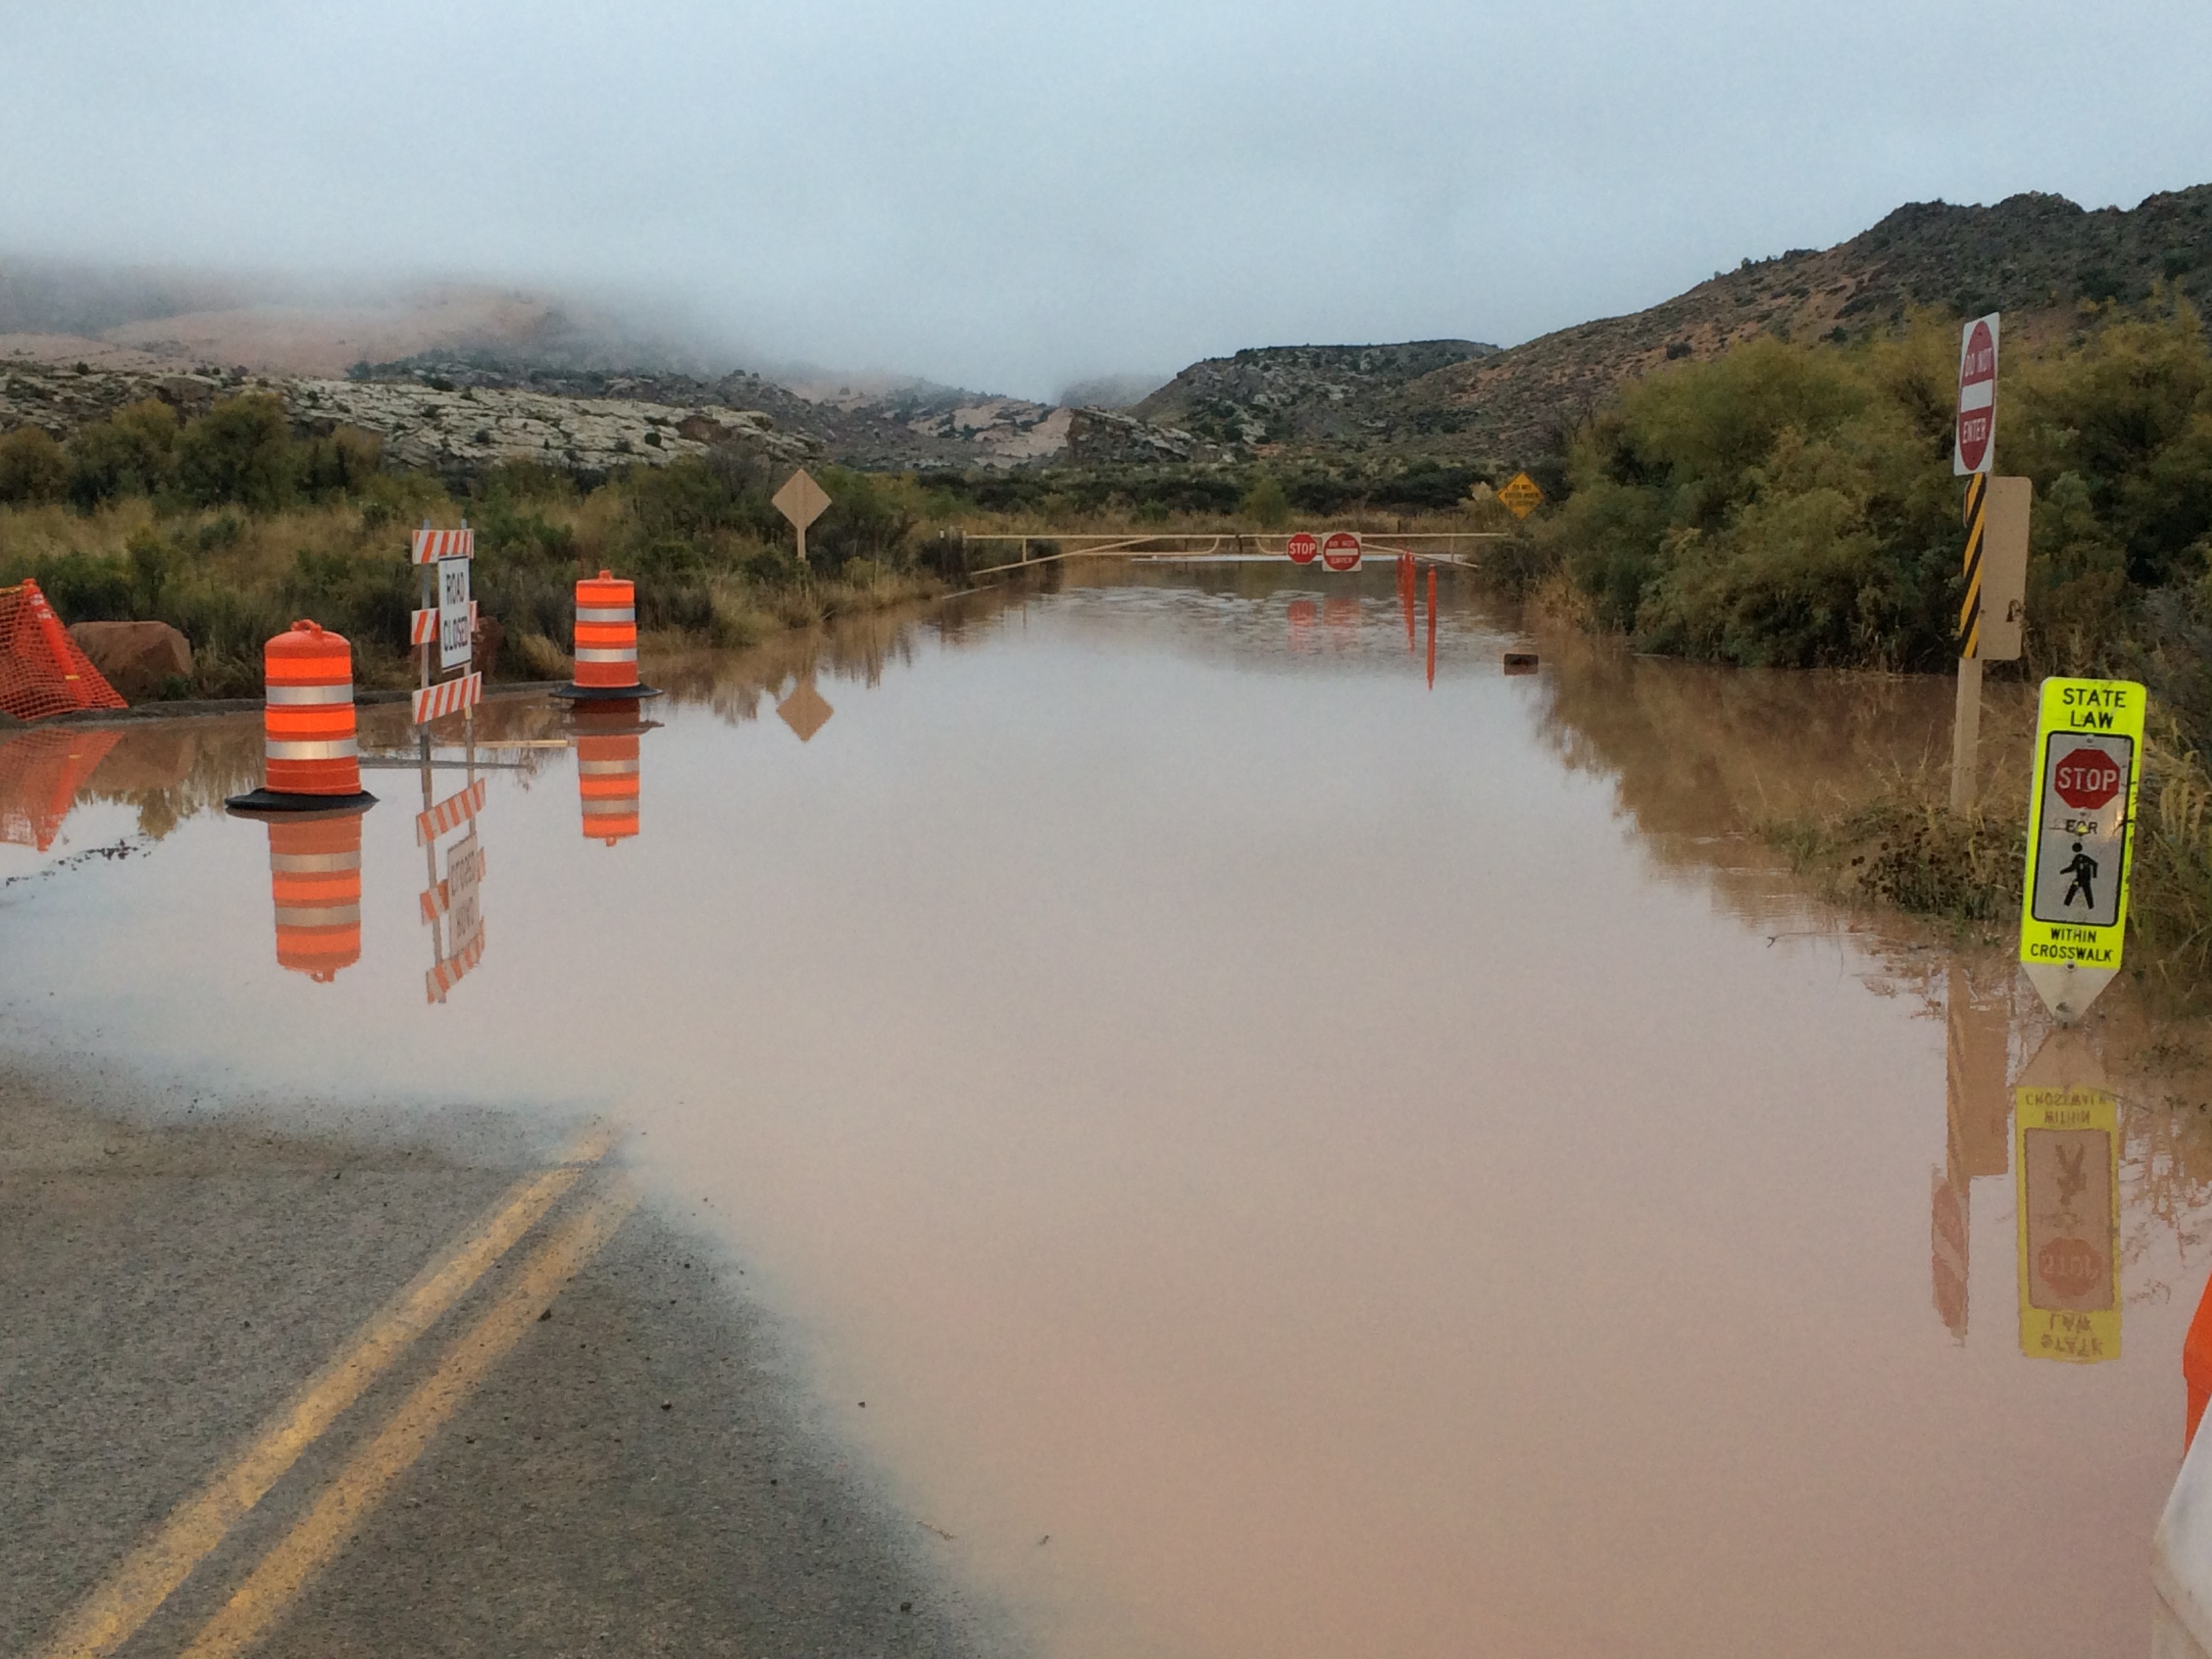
{"x": 364, "y": 1483}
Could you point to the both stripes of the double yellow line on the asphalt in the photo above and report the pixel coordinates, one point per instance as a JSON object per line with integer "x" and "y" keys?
{"x": 154, "y": 1572}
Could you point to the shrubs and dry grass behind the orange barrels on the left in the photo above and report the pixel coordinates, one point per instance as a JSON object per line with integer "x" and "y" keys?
{"x": 229, "y": 528}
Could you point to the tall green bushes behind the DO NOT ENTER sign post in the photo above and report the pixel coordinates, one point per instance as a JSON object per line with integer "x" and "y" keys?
{"x": 1795, "y": 505}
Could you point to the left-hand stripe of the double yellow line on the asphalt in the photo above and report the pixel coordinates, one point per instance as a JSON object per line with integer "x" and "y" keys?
{"x": 152, "y": 1572}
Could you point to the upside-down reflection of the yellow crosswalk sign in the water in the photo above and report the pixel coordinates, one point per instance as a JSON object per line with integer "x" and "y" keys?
{"x": 2067, "y": 1189}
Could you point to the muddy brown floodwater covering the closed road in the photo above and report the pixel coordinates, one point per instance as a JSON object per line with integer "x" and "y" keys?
{"x": 1295, "y": 1158}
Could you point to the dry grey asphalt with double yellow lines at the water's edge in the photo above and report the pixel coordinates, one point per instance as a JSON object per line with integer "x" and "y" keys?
{"x": 366, "y": 1395}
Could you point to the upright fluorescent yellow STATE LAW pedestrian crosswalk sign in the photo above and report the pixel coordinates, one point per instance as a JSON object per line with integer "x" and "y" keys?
{"x": 2089, "y": 755}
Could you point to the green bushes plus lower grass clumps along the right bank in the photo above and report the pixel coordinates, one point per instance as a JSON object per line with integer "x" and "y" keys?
{"x": 1793, "y": 505}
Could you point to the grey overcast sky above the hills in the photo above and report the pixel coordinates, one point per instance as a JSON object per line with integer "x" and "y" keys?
{"x": 1016, "y": 196}
